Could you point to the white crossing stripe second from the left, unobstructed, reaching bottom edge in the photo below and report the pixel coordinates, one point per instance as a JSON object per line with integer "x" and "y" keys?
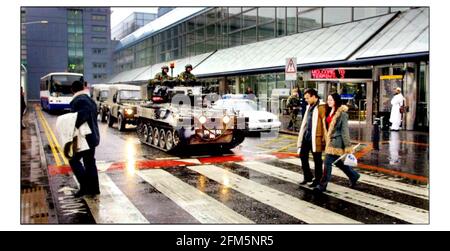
{"x": 200, "y": 205}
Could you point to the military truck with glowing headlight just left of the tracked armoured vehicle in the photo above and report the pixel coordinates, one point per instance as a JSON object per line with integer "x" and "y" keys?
{"x": 121, "y": 105}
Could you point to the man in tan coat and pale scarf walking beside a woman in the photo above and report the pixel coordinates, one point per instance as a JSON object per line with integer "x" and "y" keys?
{"x": 311, "y": 137}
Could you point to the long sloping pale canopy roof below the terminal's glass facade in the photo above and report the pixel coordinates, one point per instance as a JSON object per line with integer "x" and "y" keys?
{"x": 388, "y": 36}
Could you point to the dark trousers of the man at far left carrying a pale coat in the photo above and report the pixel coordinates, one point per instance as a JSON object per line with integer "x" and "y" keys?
{"x": 87, "y": 175}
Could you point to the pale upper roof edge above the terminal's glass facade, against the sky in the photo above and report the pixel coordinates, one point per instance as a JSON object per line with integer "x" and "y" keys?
{"x": 173, "y": 17}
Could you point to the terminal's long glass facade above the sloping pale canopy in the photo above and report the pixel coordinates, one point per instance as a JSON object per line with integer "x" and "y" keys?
{"x": 224, "y": 27}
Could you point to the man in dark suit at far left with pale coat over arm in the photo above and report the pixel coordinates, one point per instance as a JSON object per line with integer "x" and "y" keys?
{"x": 86, "y": 108}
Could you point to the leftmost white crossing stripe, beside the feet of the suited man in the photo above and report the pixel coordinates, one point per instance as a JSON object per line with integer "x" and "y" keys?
{"x": 112, "y": 206}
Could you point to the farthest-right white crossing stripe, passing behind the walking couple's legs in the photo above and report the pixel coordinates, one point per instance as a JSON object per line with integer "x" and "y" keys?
{"x": 408, "y": 189}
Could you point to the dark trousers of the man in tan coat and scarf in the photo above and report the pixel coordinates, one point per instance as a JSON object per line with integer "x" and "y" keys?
{"x": 304, "y": 157}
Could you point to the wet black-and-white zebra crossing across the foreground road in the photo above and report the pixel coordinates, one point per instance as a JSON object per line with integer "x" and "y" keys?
{"x": 251, "y": 192}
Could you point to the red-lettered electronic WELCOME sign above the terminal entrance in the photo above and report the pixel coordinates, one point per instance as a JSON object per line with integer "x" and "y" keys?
{"x": 341, "y": 73}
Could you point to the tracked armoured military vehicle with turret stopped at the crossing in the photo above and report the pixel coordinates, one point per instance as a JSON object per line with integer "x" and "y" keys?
{"x": 176, "y": 119}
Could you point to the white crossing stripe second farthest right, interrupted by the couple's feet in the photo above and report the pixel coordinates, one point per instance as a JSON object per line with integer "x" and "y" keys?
{"x": 376, "y": 203}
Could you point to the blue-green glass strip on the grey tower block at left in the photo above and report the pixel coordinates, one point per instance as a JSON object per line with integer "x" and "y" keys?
{"x": 75, "y": 40}
